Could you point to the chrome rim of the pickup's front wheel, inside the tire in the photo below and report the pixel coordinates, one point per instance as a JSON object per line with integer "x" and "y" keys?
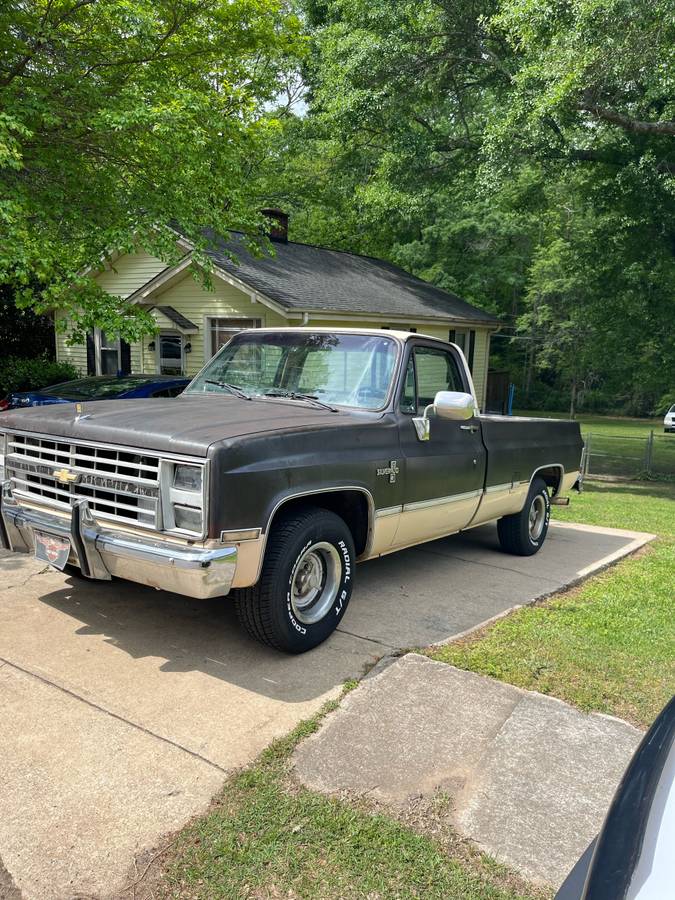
{"x": 315, "y": 582}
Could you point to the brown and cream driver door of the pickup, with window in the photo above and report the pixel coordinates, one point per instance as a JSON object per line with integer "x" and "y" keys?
{"x": 444, "y": 476}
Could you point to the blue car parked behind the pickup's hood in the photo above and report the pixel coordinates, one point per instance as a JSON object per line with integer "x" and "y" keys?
{"x": 101, "y": 387}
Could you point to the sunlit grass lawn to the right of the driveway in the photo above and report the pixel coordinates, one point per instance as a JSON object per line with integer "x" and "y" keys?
{"x": 608, "y": 645}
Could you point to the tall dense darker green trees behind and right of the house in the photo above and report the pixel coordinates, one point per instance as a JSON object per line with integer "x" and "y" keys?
{"x": 519, "y": 153}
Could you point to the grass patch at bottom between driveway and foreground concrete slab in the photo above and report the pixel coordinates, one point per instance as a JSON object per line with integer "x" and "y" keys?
{"x": 266, "y": 837}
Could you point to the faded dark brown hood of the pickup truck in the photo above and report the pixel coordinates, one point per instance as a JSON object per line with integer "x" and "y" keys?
{"x": 185, "y": 425}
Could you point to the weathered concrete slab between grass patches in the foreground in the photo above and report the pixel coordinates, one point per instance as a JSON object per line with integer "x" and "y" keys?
{"x": 530, "y": 778}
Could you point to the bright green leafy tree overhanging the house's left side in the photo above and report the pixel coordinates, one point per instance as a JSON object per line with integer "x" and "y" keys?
{"x": 118, "y": 118}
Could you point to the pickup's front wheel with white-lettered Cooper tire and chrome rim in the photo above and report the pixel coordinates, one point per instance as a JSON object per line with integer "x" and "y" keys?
{"x": 305, "y": 584}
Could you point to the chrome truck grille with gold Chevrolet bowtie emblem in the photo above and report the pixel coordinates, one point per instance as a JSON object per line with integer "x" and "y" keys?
{"x": 119, "y": 485}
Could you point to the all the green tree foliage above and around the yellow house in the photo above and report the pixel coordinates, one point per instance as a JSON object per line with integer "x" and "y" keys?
{"x": 519, "y": 153}
